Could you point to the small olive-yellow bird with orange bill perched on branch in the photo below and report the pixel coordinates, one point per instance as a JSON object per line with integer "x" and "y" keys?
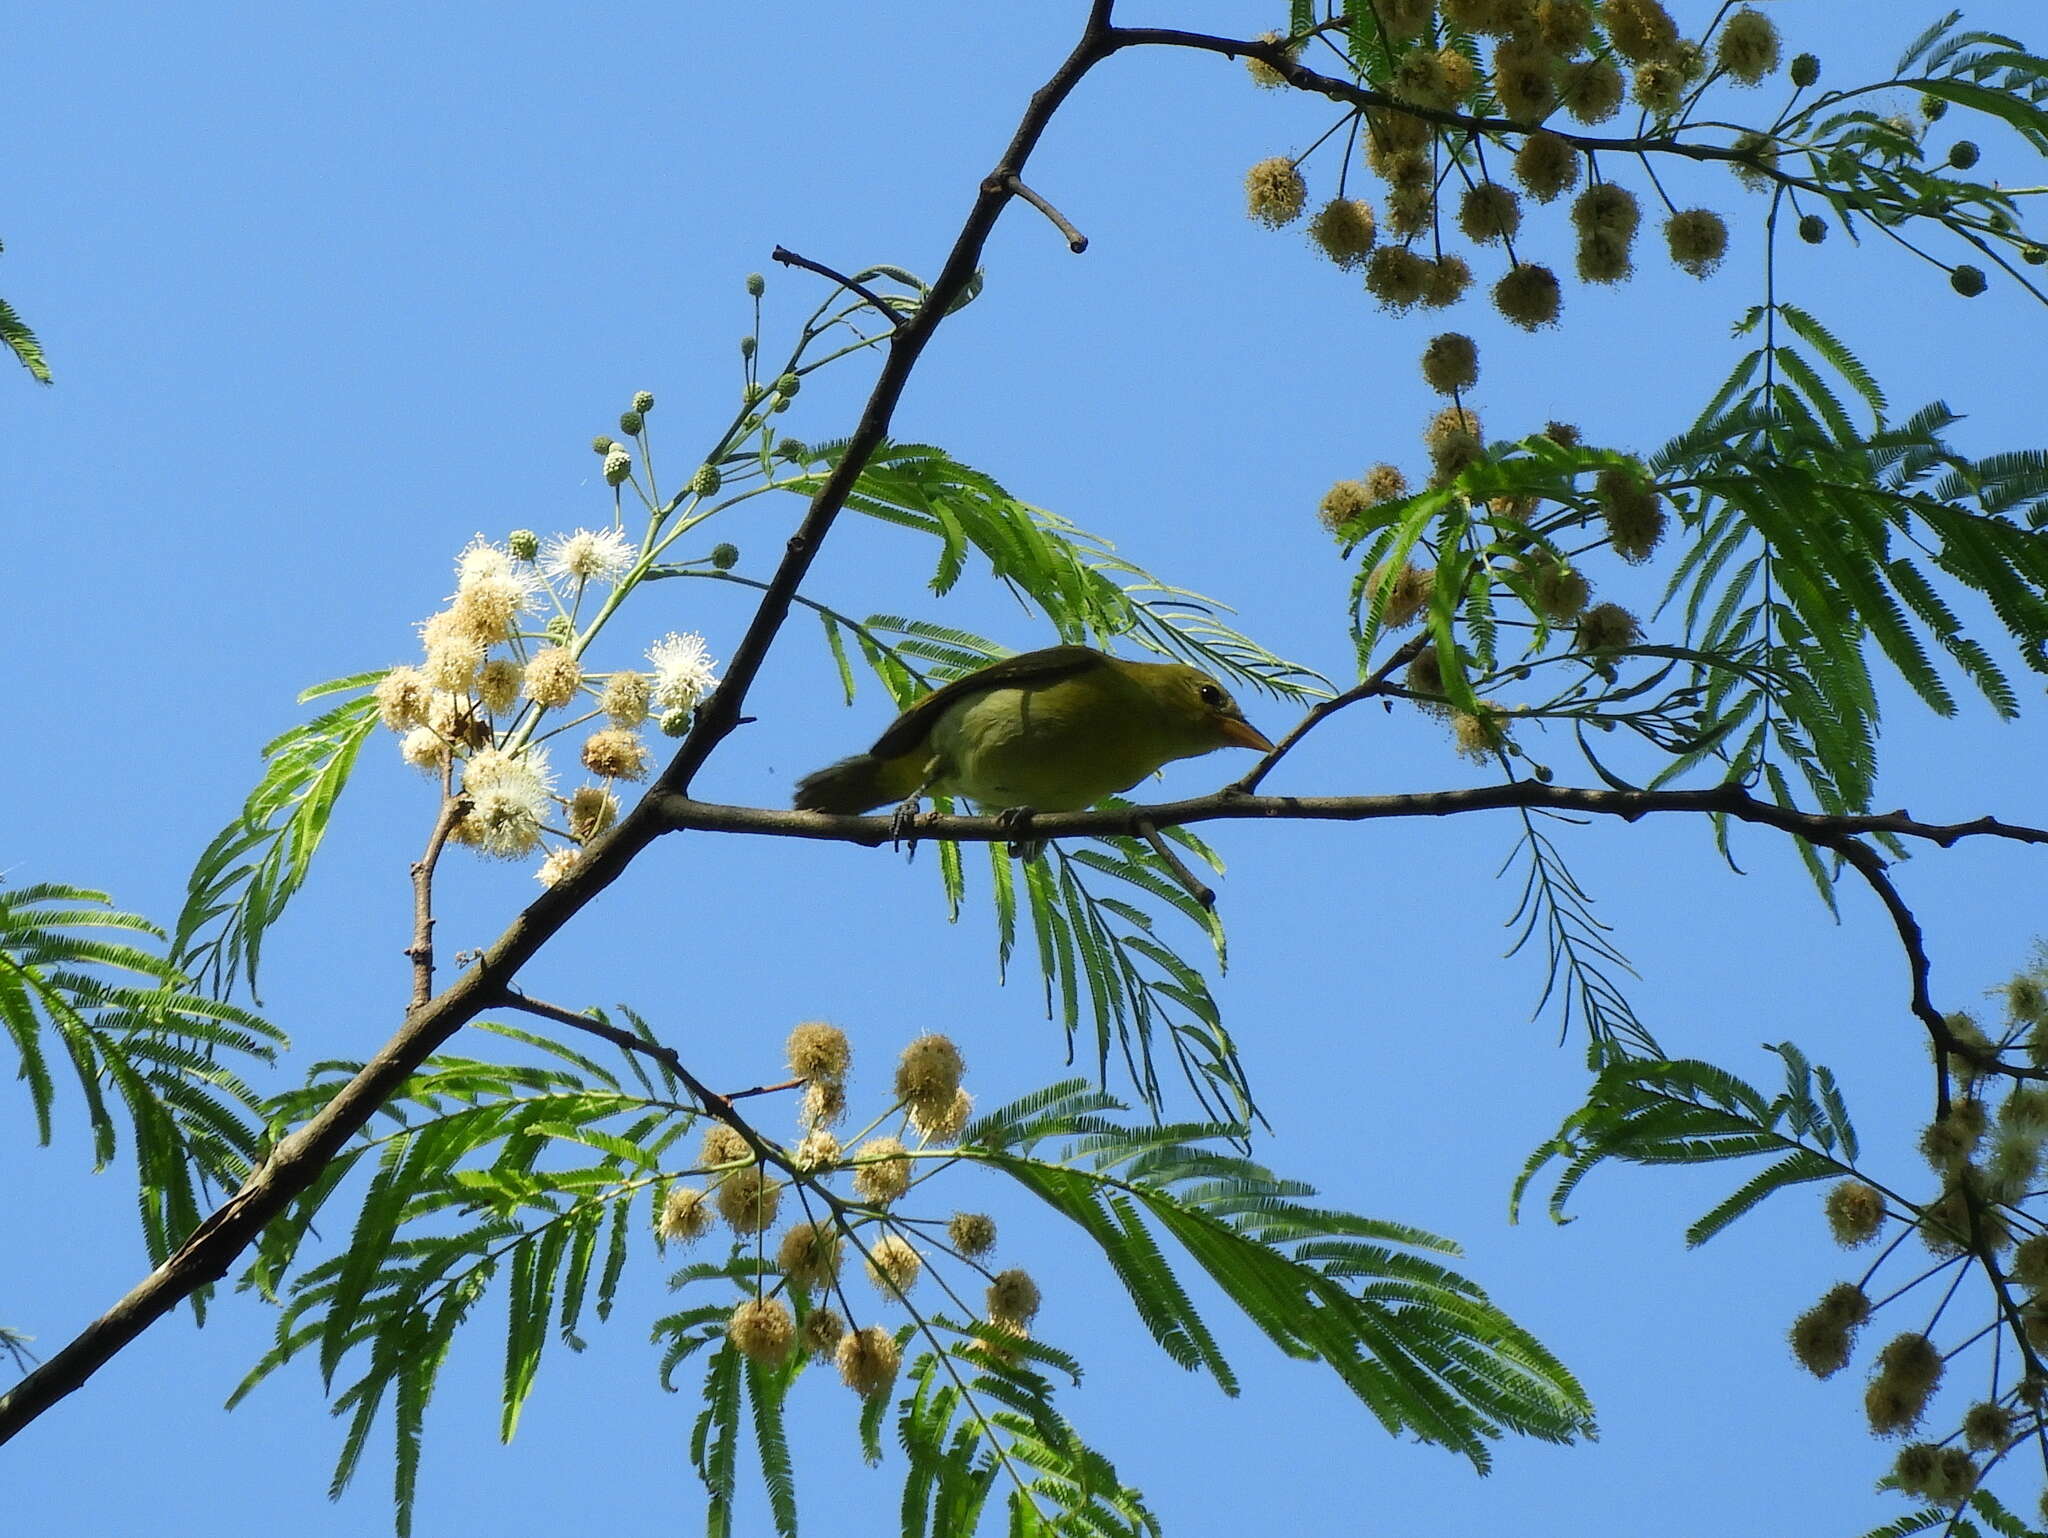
{"x": 1050, "y": 730}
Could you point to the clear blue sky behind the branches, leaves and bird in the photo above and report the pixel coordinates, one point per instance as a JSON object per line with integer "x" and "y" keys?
{"x": 331, "y": 290}
